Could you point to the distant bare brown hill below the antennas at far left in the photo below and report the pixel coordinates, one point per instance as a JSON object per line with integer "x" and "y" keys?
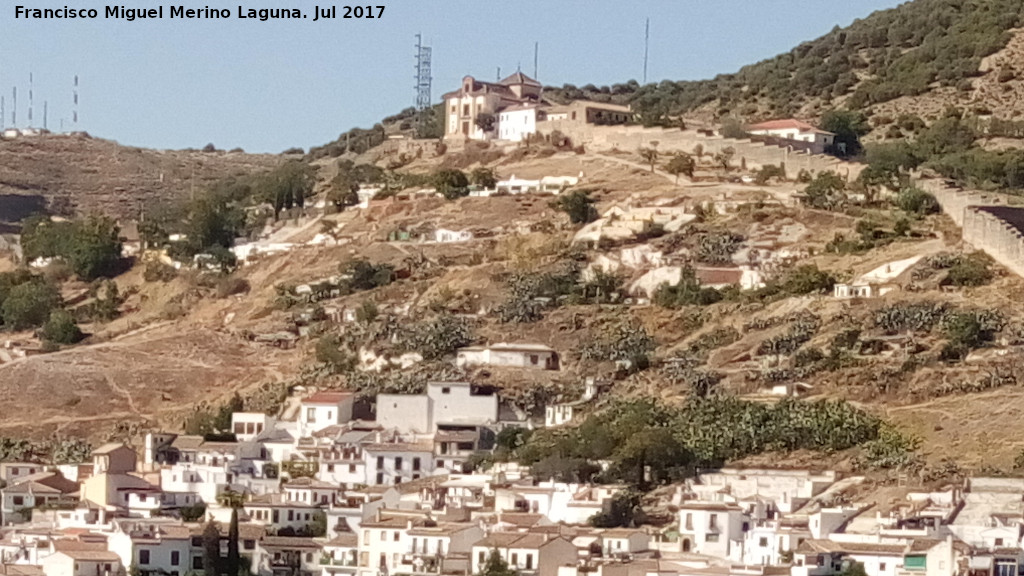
{"x": 98, "y": 176}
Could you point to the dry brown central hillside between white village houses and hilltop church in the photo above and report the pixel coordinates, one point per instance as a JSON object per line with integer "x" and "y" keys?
{"x": 178, "y": 346}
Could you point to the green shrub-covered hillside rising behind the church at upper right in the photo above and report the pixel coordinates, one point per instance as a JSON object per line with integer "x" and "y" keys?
{"x": 916, "y": 59}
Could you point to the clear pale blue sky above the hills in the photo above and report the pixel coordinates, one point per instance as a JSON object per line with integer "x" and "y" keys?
{"x": 270, "y": 86}
